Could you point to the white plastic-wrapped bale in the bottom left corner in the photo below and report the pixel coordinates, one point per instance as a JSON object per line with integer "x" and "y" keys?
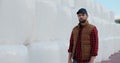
{"x": 13, "y": 54}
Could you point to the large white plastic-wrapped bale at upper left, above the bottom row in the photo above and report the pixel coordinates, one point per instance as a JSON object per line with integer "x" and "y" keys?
{"x": 16, "y": 19}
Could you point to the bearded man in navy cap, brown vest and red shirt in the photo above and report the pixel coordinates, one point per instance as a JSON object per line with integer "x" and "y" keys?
{"x": 83, "y": 46}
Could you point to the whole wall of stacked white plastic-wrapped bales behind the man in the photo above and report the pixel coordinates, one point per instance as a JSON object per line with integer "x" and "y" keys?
{"x": 38, "y": 31}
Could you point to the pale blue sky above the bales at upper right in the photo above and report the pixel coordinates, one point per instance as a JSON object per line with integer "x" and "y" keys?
{"x": 112, "y": 5}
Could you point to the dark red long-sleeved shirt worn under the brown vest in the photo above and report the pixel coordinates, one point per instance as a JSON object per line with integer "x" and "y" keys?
{"x": 94, "y": 44}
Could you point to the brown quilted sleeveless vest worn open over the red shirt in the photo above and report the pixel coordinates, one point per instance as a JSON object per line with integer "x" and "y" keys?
{"x": 85, "y": 40}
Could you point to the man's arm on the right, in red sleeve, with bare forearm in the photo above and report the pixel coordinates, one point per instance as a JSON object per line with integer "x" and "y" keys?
{"x": 94, "y": 43}
